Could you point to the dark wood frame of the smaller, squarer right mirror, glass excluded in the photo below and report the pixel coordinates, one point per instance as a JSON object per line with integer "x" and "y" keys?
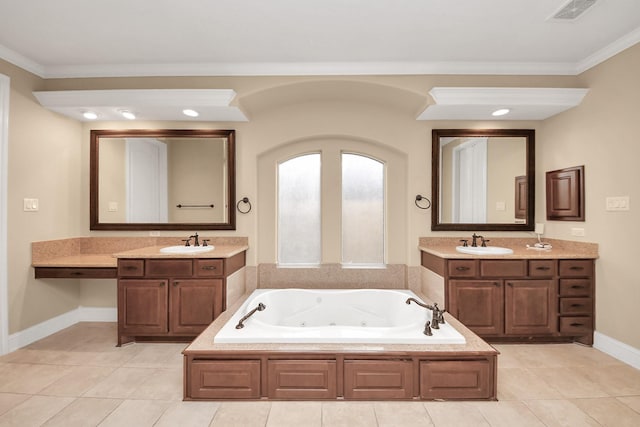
{"x": 436, "y": 134}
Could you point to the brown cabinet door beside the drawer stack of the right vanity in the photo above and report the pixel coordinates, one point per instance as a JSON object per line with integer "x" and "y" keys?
{"x": 530, "y": 307}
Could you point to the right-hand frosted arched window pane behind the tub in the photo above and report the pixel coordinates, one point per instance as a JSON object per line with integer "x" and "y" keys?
{"x": 362, "y": 210}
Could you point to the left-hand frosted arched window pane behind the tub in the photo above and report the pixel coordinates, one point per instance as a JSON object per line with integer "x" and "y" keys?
{"x": 299, "y": 210}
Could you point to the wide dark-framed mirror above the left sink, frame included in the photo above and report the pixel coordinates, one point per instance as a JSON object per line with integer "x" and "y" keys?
{"x": 162, "y": 179}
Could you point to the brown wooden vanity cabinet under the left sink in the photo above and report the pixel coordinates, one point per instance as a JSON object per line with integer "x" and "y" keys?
{"x": 171, "y": 299}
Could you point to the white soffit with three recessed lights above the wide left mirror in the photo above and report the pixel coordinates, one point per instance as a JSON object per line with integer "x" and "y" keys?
{"x": 212, "y": 105}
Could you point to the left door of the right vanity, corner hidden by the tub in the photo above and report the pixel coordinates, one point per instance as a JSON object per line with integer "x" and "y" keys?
{"x": 477, "y": 304}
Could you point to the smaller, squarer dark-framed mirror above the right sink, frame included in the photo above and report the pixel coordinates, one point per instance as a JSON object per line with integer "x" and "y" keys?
{"x": 483, "y": 179}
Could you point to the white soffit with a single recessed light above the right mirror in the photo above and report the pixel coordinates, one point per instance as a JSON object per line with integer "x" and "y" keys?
{"x": 478, "y": 103}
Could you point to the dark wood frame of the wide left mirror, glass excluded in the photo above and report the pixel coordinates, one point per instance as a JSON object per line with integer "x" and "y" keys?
{"x": 96, "y": 134}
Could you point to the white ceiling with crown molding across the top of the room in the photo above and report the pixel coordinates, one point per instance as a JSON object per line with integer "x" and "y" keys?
{"x": 80, "y": 38}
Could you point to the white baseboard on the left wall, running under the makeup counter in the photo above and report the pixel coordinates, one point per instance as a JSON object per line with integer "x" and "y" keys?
{"x": 58, "y": 323}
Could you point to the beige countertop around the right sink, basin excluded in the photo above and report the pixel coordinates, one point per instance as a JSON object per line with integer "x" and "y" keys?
{"x": 562, "y": 249}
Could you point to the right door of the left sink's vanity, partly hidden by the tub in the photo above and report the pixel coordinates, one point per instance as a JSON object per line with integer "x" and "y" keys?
{"x": 195, "y": 303}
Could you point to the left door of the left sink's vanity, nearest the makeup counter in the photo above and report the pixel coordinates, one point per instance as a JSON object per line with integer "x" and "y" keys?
{"x": 142, "y": 306}
